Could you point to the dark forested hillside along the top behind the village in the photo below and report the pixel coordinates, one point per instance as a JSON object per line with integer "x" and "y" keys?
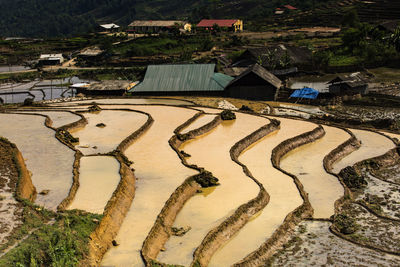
{"x": 47, "y": 18}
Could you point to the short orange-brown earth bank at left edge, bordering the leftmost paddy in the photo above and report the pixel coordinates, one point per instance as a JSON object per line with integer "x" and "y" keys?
{"x": 24, "y": 188}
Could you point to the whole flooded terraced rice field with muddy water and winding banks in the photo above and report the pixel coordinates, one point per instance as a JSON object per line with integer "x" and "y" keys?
{"x": 144, "y": 164}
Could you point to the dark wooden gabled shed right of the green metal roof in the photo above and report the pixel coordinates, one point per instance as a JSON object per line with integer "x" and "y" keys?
{"x": 255, "y": 83}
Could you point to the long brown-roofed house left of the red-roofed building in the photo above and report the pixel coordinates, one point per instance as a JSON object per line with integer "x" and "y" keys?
{"x": 158, "y": 26}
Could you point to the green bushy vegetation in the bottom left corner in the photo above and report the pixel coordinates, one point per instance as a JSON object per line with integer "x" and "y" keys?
{"x": 50, "y": 239}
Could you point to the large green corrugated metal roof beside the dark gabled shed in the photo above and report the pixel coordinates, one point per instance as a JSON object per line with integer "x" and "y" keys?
{"x": 182, "y": 78}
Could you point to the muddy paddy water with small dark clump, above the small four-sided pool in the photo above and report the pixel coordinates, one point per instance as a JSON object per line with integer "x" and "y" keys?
{"x": 118, "y": 126}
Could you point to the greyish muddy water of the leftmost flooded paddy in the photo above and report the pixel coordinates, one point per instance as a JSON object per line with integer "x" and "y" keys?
{"x": 49, "y": 161}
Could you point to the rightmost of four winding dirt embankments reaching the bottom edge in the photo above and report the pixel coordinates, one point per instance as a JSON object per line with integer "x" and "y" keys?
{"x": 283, "y": 233}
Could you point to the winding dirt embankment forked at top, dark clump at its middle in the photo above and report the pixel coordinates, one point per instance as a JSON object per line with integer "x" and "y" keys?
{"x": 161, "y": 230}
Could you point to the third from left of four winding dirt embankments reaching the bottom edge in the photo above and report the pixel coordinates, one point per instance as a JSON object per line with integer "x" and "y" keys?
{"x": 221, "y": 234}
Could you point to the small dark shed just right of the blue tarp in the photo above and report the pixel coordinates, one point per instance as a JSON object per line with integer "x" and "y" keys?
{"x": 351, "y": 85}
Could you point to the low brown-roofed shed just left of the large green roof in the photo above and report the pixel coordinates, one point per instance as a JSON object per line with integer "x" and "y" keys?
{"x": 111, "y": 87}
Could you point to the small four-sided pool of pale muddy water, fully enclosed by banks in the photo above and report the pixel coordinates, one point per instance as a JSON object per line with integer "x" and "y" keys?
{"x": 98, "y": 179}
